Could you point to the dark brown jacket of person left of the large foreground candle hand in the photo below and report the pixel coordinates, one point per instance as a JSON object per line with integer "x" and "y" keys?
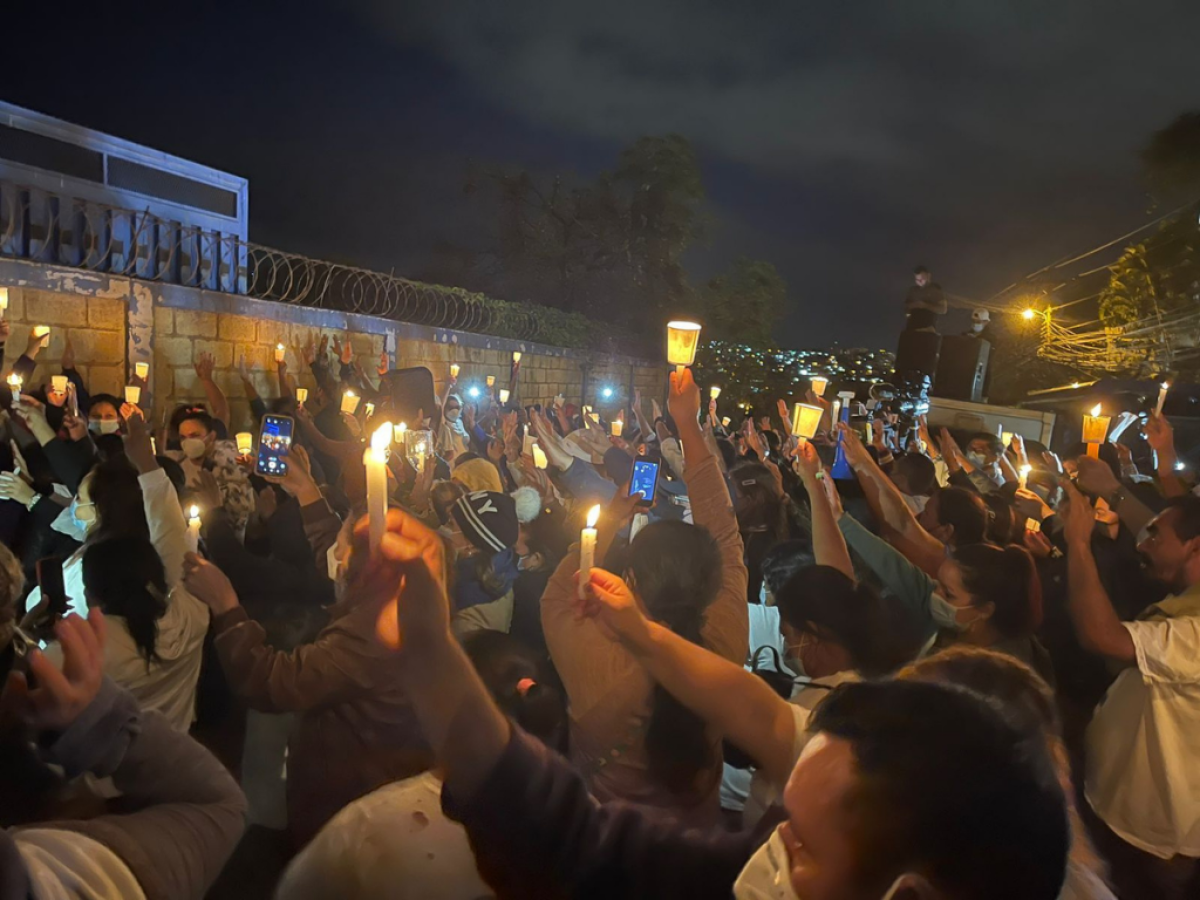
{"x": 357, "y": 730}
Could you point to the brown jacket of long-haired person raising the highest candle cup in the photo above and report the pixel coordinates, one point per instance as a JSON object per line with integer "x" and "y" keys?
{"x": 611, "y": 695}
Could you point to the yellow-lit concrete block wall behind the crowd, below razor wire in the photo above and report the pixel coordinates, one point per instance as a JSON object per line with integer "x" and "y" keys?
{"x": 115, "y": 322}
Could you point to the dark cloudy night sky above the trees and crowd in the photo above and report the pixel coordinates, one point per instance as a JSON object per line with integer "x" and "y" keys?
{"x": 843, "y": 142}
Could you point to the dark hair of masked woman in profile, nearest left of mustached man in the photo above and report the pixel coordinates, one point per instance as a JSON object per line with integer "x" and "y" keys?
{"x": 1007, "y": 579}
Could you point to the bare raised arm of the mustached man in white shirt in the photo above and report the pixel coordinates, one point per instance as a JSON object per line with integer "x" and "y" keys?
{"x": 1097, "y": 623}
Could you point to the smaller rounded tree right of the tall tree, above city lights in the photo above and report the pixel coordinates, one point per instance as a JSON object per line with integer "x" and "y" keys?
{"x": 746, "y": 304}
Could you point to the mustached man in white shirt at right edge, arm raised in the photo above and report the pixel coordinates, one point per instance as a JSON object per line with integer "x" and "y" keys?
{"x": 1144, "y": 743}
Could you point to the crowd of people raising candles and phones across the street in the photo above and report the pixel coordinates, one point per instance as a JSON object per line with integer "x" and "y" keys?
{"x": 965, "y": 671}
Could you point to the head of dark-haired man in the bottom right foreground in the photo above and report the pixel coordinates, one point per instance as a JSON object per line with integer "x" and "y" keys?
{"x": 925, "y": 788}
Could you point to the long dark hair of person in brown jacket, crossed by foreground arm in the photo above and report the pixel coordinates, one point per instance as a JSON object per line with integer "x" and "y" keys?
{"x": 677, "y": 572}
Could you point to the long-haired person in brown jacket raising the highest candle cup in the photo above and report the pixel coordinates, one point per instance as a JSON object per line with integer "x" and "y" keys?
{"x": 693, "y": 580}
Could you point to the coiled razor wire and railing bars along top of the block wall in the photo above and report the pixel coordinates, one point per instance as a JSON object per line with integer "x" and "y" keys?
{"x": 46, "y": 227}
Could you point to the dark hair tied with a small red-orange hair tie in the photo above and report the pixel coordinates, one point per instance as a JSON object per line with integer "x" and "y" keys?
{"x": 506, "y": 667}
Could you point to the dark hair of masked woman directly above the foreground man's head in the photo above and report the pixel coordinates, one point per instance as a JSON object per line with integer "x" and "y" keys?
{"x": 823, "y": 602}
